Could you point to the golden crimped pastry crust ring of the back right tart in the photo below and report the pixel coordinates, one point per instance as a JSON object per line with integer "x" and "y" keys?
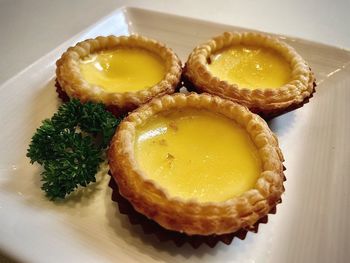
{"x": 296, "y": 91}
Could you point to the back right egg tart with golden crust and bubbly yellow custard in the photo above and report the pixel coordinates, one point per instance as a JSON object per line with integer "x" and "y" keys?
{"x": 256, "y": 70}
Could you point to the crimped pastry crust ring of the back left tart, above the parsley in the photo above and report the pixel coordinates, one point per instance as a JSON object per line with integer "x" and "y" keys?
{"x": 73, "y": 83}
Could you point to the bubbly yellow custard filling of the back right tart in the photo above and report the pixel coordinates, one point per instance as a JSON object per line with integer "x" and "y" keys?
{"x": 251, "y": 67}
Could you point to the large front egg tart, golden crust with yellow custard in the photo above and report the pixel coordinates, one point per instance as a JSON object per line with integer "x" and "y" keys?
{"x": 197, "y": 164}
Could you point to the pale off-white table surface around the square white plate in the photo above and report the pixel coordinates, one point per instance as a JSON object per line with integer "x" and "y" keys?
{"x": 31, "y": 28}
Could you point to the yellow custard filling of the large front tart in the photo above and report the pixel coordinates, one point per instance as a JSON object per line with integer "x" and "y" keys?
{"x": 197, "y": 154}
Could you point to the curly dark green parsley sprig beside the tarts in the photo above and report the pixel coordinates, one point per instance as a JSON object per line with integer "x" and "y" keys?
{"x": 70, "y": 146}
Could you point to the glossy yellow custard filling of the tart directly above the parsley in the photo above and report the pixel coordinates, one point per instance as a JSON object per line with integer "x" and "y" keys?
{"x": 123, "y": 69}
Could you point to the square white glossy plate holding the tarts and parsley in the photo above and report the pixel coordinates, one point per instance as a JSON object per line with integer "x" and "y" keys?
{"x": 311, "y": 225}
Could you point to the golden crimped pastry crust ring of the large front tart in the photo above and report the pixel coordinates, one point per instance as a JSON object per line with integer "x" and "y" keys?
{"x": 189, "y": 216}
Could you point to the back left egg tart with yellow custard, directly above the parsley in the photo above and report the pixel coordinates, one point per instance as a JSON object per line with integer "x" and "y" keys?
{"x": 121, "y": 72}
